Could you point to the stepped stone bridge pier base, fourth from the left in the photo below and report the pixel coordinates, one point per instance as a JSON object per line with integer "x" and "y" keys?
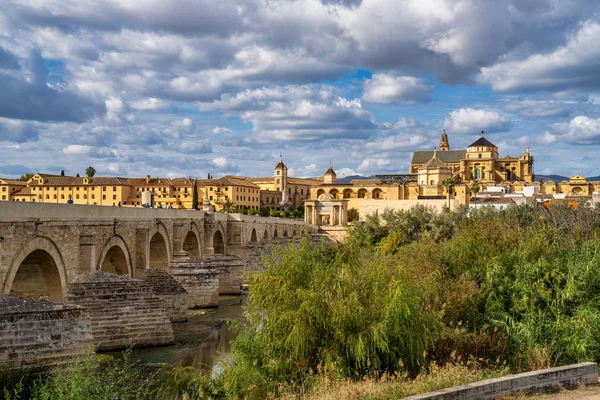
{"x": 201, "y": 282}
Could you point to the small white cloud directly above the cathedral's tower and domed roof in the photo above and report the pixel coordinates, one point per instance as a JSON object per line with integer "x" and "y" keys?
{"x": 472, "y": 121}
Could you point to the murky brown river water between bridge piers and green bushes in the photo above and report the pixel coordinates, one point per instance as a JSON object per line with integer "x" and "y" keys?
{"x": 200, "y": 341}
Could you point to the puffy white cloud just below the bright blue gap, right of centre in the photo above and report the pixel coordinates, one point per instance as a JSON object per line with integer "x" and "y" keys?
{"x": 386, "y": 88}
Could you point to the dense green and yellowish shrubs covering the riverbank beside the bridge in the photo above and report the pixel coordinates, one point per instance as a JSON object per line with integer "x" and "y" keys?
{"x": 412, "y": 301}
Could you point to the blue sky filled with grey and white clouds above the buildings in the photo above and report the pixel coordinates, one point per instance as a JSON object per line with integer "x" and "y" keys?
{"x": 184, "y": 88}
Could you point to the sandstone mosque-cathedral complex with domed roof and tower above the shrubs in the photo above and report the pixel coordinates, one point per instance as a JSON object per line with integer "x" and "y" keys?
{"x": 479, "y": 163}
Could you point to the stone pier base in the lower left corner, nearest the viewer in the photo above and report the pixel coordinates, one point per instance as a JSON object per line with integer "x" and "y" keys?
{"x": 39, "y": 332}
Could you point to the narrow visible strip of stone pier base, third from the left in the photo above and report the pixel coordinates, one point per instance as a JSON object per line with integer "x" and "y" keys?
{"x": 172, "y": 294}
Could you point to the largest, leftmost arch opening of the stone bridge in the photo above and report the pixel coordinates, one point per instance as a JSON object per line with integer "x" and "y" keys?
{"x": 38, "y": 270}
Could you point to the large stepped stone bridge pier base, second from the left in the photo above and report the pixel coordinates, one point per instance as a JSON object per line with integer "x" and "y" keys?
{"x": 125, "y": 312}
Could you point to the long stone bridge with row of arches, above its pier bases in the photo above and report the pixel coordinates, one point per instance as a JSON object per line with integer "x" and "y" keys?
{"x": 43, "y": 247}
